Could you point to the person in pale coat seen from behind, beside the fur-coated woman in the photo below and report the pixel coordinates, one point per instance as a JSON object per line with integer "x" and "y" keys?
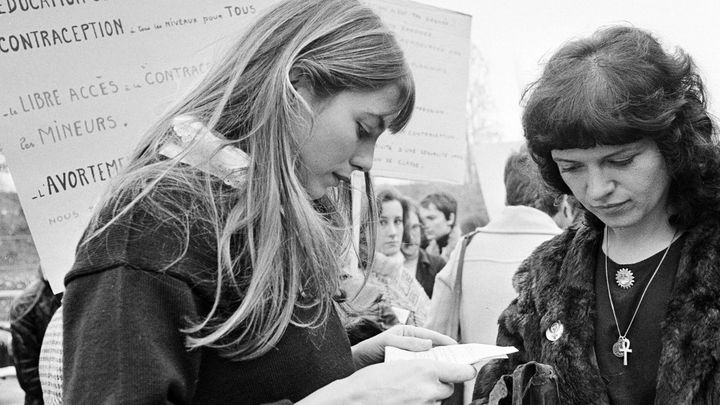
{"x": 491, "y": 258}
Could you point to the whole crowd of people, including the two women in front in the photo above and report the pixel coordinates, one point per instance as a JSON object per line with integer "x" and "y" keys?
{"x": 203, "y": 281}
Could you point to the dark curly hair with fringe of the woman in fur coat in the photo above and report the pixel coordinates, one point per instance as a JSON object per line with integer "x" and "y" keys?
{"x": 619, "y": 86}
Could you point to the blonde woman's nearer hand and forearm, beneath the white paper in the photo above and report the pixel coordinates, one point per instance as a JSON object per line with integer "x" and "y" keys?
{"x": 400, "y": 382}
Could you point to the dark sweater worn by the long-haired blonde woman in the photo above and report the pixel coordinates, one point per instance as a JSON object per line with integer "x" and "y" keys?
{"x": 122, "y": 329}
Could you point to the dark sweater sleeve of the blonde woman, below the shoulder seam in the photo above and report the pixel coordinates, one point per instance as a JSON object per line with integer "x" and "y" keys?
{"x": 122, "y": 339}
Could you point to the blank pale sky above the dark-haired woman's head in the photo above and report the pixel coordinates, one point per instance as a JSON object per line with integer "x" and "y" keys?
{"x": 514, "y": 36}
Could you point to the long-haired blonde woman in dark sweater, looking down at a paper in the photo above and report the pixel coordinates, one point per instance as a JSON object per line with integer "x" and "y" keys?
{"x": 209, "y": 272}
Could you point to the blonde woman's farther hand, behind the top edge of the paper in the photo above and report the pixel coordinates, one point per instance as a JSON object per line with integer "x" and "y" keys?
{"x": 404, "y": 337}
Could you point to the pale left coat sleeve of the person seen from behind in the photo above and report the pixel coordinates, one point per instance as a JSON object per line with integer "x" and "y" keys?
{"x": 441, "y": 315}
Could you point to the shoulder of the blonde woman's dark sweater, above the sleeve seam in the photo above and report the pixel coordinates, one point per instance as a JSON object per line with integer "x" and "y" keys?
{"x": 149, "y": 236}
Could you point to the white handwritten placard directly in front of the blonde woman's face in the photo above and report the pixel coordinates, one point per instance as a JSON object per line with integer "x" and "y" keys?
{"x": 437, "y": 44}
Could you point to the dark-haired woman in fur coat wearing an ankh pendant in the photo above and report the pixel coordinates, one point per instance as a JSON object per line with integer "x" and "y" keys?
{"x": 625, "y": 307}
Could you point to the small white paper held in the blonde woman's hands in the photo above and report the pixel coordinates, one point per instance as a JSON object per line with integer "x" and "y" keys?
{"x": 468, "y": 353}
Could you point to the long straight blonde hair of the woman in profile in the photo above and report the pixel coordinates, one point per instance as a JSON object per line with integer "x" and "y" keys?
{"x": 272, "y": 241}
